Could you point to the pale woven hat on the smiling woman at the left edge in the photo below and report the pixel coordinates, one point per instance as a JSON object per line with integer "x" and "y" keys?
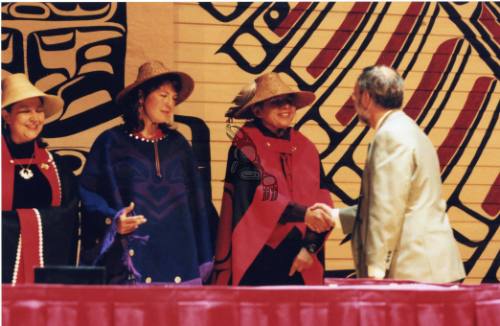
{"x": 17, "y": 87}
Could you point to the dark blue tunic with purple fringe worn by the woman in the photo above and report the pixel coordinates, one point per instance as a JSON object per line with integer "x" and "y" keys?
{"x": 174, "y": 245}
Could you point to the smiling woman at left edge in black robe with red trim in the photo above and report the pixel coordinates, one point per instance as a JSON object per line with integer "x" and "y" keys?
{"x": 39, "y": 191}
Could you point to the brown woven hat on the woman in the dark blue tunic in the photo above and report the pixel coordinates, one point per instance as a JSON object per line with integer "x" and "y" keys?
{"x": 156, "y": 70}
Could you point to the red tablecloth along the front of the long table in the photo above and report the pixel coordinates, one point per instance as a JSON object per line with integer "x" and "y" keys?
{"x": 343, "y": 302}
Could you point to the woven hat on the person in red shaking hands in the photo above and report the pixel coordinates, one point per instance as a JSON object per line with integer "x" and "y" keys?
{"x": 266, "y": 87}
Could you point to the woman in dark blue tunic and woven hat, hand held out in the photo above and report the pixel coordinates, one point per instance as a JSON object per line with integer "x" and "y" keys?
{"x": 145, "y": 207}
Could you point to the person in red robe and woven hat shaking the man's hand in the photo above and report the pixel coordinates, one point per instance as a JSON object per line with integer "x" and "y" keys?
{"x": 268, "y": 233}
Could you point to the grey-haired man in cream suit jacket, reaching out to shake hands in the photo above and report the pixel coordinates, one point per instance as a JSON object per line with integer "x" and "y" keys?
{"x": 400, "y": 229}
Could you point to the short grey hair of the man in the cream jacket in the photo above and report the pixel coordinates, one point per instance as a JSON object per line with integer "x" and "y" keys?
{"x": 383, "y": 84}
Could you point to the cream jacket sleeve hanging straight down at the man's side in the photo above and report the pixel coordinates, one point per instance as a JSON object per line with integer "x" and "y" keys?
{"x": 390, "y": 171}
